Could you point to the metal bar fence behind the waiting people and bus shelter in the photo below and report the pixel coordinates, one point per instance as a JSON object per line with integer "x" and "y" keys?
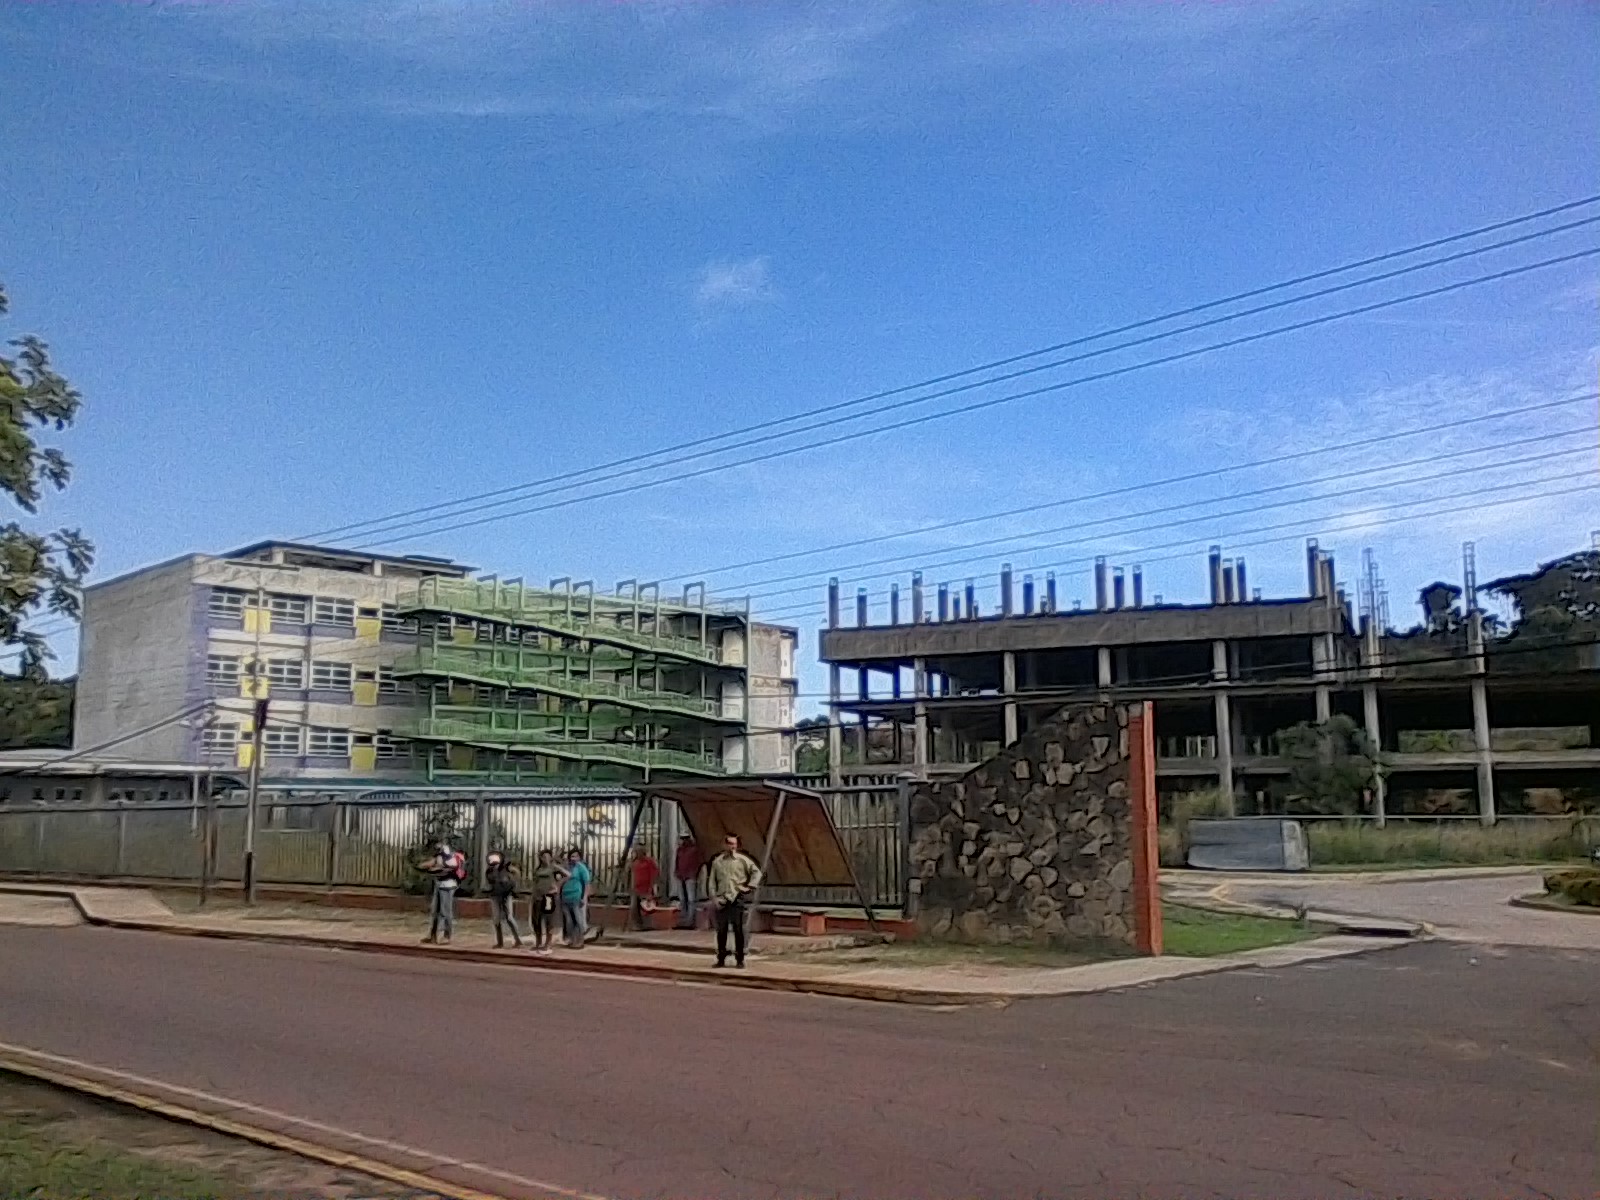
{"x": 374, "y": 844}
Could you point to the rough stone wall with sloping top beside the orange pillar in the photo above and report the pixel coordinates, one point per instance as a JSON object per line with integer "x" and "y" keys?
{"x": 1036, "y": 846}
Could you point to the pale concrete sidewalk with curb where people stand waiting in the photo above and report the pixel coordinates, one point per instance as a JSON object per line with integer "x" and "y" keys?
{"x": 924, "y": 985}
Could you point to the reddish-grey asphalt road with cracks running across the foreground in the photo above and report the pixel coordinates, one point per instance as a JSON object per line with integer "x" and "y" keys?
{"x": 1434, "y": 1070}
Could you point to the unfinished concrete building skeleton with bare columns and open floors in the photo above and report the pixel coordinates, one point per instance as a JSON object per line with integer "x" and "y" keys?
{"x": 1465, "y": 722}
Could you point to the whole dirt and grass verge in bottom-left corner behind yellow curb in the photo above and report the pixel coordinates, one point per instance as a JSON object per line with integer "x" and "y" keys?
{"x": 66, "y": 1146}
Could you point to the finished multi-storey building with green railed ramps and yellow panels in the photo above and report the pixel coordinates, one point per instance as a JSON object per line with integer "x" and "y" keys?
{"x": 404, "y": 668}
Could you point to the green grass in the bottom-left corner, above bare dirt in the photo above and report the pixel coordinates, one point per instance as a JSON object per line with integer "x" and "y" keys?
{"x": 41, "y": 1166}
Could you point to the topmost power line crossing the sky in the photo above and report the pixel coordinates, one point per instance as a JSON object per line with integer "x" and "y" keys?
{"x": 934, "y": 382}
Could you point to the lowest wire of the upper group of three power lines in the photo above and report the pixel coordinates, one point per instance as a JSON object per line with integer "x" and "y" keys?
{"x": 1098, "y": 377}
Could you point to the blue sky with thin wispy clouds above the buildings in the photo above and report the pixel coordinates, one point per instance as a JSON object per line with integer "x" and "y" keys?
{"x": 316, "y": 263}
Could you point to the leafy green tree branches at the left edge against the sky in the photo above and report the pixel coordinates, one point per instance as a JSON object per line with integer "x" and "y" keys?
{"x": 39, "y": 572}
